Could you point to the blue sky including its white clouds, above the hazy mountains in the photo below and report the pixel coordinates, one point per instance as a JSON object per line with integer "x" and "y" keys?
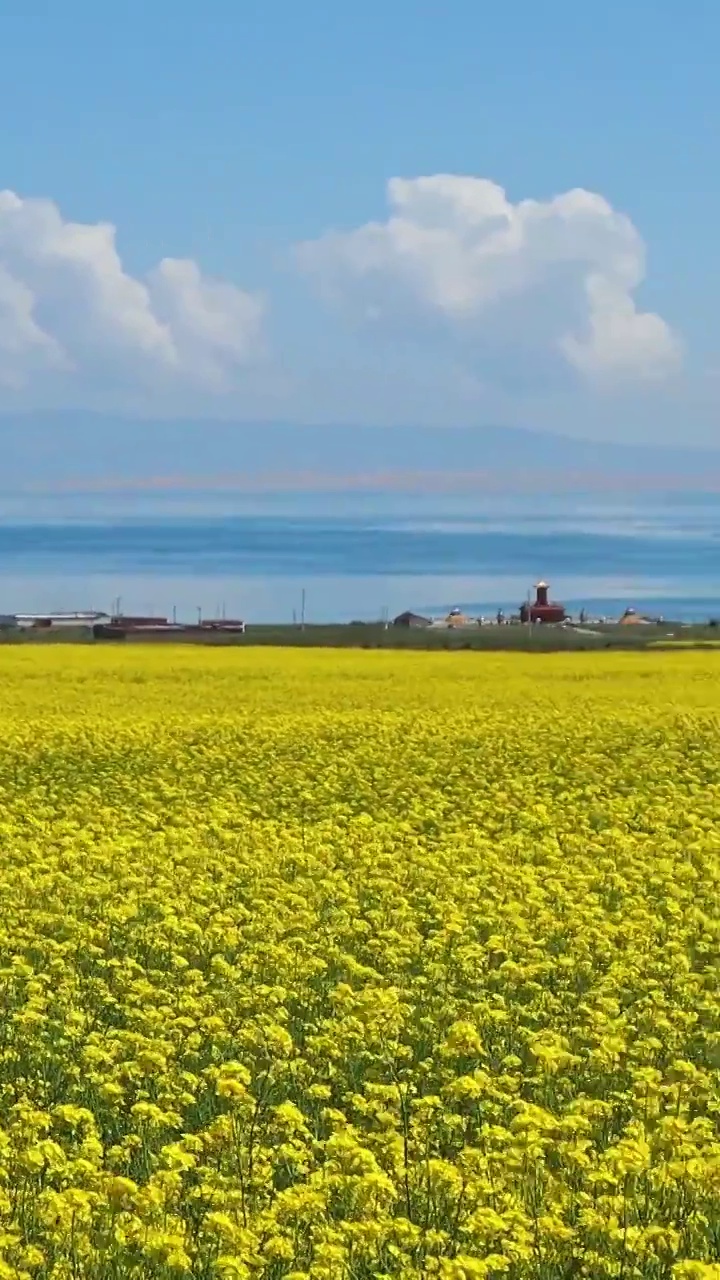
{"x": 225, "y": 141}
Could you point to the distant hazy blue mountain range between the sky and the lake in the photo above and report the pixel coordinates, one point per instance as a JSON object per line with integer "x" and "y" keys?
{"x": 78, "y": 451}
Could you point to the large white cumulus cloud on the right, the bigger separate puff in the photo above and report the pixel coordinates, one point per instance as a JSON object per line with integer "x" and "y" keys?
{"x": 550, "y": 277}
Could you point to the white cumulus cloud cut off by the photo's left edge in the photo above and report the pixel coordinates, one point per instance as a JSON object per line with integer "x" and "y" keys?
{"x": 70, "y": 308}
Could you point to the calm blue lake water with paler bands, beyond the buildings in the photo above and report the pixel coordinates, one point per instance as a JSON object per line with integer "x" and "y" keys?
{"x": 381, "y": 555}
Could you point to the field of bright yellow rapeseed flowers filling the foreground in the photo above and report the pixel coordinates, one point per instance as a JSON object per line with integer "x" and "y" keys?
{"x": 354, "y": 966}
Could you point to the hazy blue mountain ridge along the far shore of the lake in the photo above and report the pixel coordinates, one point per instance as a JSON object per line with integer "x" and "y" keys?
{"x": 93, "y": 447}
